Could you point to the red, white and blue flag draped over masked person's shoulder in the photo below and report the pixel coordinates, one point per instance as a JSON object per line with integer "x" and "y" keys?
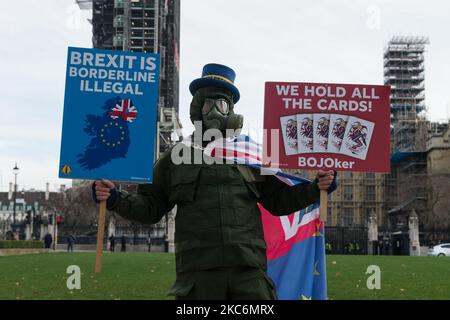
{"x": 296, "y": 242}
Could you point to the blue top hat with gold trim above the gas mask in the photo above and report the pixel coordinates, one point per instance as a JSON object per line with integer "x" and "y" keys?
{"x": 216, "y": 75}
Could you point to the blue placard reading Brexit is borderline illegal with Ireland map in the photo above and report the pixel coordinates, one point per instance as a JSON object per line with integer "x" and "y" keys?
{"x": 110, "y": 111}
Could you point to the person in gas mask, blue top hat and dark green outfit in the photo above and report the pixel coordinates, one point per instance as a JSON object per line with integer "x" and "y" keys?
{"x": 219, "y": 241}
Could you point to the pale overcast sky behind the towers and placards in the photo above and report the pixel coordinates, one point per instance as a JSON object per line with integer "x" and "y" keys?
{"x": 286, "y": 40}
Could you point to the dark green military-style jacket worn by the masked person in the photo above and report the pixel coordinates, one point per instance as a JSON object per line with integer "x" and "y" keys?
{"x": 218, "y": 223}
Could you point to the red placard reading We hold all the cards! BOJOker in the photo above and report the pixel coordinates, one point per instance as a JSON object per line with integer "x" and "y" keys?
{"x": 327, "y": 126}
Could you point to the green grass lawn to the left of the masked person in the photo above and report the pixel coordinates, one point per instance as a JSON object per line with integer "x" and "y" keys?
{"x": 123, "y": 276}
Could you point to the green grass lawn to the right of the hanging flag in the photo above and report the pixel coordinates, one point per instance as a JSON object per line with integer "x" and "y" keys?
{"x": 401, "y": 277}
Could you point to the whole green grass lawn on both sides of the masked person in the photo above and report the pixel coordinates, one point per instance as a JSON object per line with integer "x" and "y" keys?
{"x": 150, "y": 275}
